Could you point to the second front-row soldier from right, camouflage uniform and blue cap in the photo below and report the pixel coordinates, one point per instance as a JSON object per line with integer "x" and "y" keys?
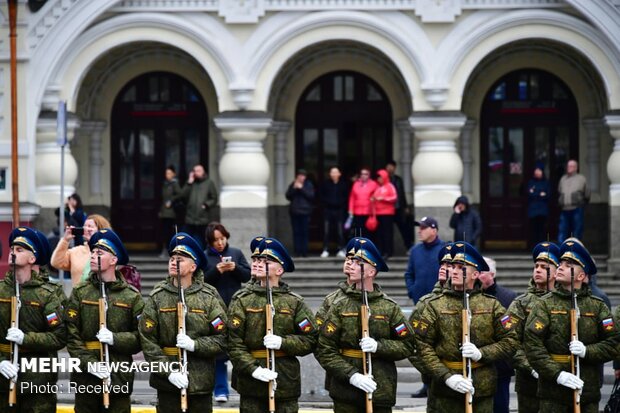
{"x": 439, "y": 337}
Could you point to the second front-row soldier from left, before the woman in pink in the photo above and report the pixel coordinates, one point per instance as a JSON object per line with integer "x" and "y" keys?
{"x": 124, "y": 307}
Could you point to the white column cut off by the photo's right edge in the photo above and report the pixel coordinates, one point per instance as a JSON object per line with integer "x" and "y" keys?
{"x": 613, "y": 172}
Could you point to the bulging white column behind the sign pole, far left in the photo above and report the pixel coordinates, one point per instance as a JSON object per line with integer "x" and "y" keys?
{"x": 48, "y": 160}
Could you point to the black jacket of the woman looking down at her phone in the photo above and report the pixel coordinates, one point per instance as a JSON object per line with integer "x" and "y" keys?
{"x": 229, "y": 282}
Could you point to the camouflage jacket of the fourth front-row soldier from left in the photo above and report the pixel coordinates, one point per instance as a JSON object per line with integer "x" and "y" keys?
{"x": 293, "y": 321}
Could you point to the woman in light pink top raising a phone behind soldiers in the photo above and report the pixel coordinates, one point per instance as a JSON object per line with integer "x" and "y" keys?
{"x": 76, "y": 258}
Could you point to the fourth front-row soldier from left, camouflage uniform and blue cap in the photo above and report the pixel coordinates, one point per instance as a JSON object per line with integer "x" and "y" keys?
{"x": 294, "y": 334}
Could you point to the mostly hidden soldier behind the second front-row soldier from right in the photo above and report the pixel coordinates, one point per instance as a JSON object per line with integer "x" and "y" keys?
{"x": 445, "y": 264}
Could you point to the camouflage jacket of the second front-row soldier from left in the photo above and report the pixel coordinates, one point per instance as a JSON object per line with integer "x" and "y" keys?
{"x": 82, "y": 314}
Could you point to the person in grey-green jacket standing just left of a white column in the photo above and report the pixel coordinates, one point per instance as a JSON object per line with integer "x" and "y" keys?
{"x": 201, "y": 197}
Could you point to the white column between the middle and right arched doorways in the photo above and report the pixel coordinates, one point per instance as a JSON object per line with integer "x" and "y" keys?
{"x": 437, "y": 167}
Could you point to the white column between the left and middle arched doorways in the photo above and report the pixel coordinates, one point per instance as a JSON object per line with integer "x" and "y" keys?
{"x": 244, "y": 174}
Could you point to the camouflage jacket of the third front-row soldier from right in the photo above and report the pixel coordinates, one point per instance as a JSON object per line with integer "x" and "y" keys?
{"x": 339, "y": 351}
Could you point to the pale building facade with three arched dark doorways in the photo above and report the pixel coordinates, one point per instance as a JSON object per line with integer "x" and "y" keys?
{"x": 466, "y": 95}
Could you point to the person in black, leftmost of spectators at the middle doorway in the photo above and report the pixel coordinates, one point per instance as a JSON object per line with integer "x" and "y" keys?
{"x": 301, "y": 195}
